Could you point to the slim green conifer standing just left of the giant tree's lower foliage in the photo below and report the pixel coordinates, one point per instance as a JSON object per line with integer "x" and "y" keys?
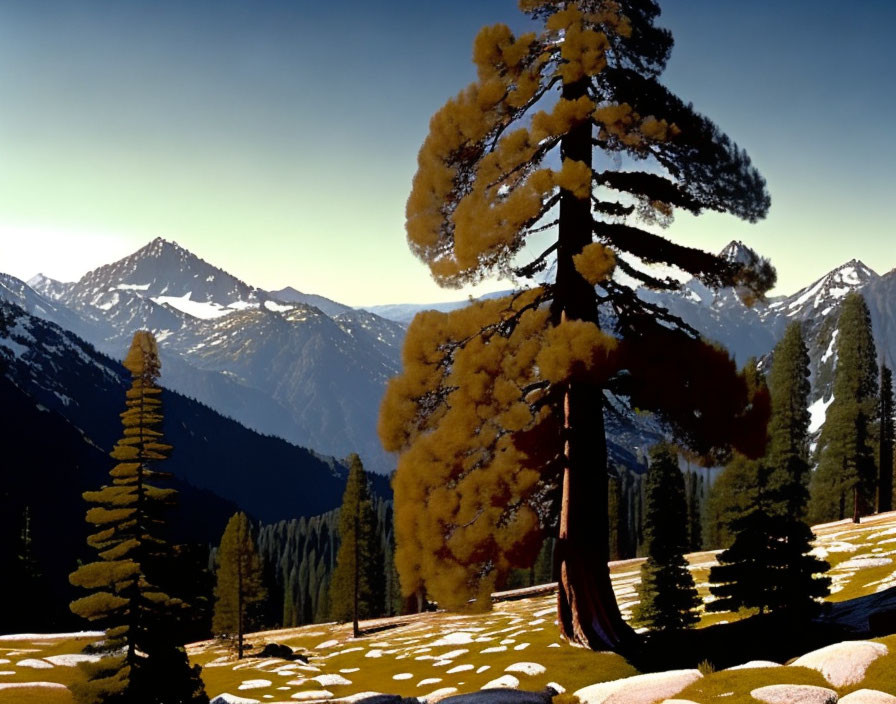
{"x": 357, "y": 585}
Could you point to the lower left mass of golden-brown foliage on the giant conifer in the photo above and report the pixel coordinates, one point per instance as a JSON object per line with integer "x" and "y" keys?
{"x": 464, "y": 490}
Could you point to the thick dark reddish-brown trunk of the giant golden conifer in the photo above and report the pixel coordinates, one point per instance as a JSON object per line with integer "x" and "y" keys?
{"x": 586, "y": 605}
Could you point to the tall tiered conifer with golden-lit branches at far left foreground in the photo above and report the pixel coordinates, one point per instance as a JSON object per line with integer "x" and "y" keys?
{"x": 144, "y": 660}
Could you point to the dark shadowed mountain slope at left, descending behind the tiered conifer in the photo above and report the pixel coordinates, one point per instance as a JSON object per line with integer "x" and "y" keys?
{"x": 60, "y": 374}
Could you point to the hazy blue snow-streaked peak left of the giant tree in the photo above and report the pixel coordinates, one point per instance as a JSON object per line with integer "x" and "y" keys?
{"x": 275, "y": 362}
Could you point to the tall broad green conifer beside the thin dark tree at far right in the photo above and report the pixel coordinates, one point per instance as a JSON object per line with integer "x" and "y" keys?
{"x": 845, "y": 481}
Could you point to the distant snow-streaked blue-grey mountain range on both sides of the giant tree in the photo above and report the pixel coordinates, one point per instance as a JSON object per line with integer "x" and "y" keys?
{"x": 311, "y": 370}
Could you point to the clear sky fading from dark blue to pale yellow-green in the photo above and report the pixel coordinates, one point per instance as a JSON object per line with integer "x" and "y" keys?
{"x": 278, "y": 139}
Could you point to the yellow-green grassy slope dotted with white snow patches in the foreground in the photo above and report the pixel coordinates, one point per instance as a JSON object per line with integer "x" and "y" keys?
{"x": 429, "y": 647}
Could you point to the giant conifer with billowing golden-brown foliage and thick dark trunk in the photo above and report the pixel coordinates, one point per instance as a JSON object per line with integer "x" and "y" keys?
{"x": 504, "y": 399}
